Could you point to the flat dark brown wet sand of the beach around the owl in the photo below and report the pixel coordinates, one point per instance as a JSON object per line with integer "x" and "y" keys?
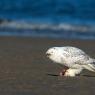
{"x": 25, "y": 70}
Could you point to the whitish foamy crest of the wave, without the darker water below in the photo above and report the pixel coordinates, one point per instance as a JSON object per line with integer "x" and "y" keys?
{"x": 45, "y": 26}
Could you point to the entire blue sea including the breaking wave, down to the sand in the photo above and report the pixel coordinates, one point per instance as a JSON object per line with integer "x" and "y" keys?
{"x": 69, "y": 19}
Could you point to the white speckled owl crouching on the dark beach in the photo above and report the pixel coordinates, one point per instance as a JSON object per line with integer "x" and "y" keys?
{"x": 74, "y": 59}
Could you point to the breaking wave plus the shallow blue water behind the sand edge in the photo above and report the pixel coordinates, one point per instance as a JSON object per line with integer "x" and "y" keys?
{"x": 61, "y": 30}
